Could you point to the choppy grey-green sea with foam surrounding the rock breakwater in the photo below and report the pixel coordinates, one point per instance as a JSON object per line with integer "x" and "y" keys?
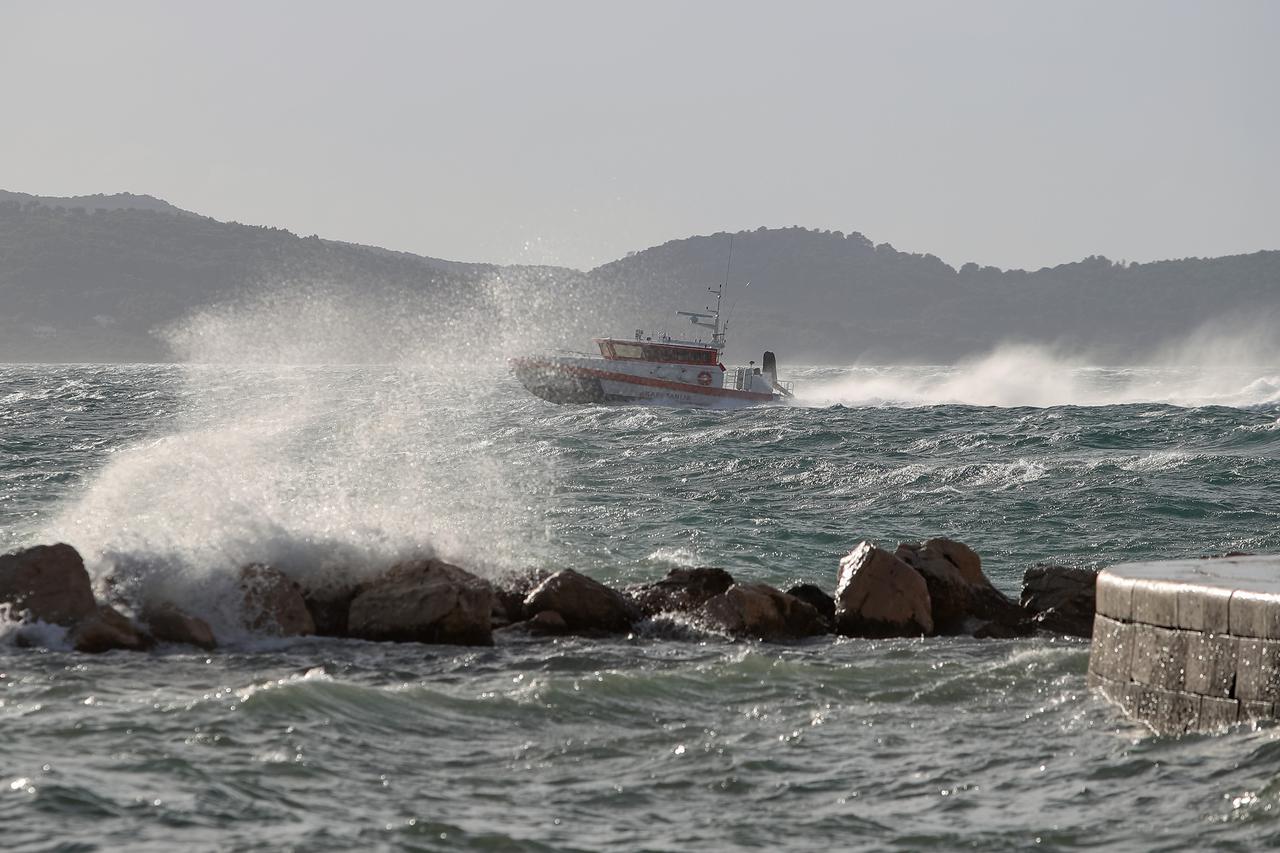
{"x": 181, "y": 475}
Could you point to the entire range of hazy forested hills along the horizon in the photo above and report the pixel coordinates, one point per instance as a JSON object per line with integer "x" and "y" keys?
{"x": 103, "y": 277}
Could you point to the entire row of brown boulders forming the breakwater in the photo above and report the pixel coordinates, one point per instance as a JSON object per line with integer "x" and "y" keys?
{"x": 920, "y": 590}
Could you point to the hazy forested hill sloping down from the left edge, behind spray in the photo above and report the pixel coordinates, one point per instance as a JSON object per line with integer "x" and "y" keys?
{"x": 98, "y": 282}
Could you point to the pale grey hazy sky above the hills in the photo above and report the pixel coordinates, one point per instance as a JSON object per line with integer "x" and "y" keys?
{"x": 1011, "y": 134}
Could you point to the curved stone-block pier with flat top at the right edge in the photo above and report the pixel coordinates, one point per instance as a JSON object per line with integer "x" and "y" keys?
{"x": 1190, "y": 645}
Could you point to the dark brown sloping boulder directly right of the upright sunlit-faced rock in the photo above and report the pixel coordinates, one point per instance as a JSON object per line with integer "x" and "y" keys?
{"x": 963, "y": 600}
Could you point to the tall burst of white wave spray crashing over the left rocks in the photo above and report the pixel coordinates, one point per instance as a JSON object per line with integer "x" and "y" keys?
{"x": 328, "y": 473}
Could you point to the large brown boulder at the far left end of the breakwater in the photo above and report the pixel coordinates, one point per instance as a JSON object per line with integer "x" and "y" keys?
{"x": 48, "y": 582}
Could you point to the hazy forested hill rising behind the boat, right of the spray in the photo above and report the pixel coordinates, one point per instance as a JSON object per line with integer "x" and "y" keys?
{"x": 825, "y": 297}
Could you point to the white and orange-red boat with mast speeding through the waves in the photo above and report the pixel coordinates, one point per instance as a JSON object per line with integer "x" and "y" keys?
{"x": 656, "y": 371}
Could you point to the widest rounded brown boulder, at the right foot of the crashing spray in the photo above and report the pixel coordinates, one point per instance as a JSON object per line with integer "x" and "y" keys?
{"x": 424, "y": 601}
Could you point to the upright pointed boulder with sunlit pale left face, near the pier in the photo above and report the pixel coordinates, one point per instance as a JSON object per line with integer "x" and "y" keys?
{"x": 877, "y": 595}
